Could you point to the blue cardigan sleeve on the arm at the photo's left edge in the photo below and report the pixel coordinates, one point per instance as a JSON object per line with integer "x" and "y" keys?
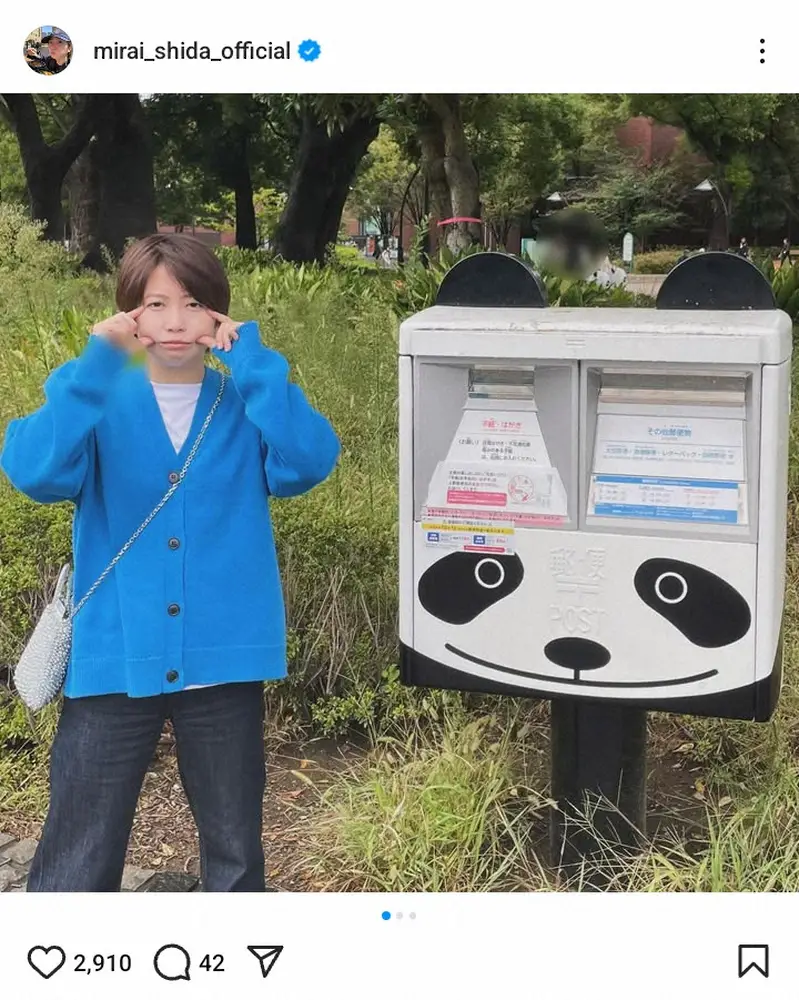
{"x": 46, "y": 454}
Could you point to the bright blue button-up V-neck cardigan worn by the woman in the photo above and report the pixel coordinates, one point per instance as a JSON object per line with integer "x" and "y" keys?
{"x": 197, "y": 599}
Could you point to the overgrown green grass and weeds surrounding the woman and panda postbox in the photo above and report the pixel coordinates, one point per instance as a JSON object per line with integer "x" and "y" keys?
{"x": 452, "y": 794}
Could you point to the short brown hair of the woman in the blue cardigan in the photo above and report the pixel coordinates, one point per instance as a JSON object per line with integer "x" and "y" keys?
{"x": 189, "y": 261}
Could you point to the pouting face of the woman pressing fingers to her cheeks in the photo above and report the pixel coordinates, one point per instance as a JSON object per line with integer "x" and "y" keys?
{"x": 174, "y": 320}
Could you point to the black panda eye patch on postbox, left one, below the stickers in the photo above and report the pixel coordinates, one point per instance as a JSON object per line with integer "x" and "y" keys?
{"x": 462, "y": 585}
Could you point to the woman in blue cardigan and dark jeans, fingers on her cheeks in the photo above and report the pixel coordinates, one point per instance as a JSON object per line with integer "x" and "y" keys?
{"x": 190, "y": 623}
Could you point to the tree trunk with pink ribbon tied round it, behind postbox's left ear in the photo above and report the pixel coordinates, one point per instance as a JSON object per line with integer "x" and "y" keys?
{"x": 459, "y": 170}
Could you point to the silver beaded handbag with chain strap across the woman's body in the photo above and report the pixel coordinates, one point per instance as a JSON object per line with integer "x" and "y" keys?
{"x": 42, "y": 668}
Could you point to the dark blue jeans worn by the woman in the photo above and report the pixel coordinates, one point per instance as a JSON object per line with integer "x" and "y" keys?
{"x": 100, "y": 755}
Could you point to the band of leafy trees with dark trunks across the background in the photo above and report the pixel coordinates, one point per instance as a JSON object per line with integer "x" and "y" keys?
{"x": 283, "y": 167}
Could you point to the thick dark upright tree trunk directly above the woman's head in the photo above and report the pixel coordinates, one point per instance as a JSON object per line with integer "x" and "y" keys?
{"x": 122, "y": 169}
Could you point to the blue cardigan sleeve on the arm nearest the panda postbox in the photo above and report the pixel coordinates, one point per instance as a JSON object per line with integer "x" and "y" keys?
{"x": 301, "y": 446}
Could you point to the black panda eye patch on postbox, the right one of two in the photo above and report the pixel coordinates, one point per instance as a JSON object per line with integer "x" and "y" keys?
{"x": 707, "y": 610}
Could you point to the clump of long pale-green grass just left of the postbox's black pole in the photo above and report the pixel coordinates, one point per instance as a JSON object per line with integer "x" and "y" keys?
{"x": 440, "y": 809}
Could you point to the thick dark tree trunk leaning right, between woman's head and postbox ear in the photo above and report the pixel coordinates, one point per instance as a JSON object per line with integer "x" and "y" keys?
{"x": 324, "y": 169}
